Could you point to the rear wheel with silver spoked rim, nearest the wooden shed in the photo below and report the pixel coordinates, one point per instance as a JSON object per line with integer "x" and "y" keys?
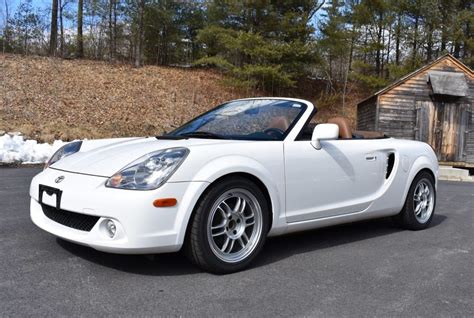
{"x": 418, "y": 211}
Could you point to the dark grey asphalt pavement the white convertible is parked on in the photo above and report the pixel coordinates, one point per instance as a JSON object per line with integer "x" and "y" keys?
{"x": 362, "y": 269}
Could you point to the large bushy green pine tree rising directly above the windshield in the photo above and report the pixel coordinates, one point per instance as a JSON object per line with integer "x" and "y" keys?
{"x": 265, "y": 44}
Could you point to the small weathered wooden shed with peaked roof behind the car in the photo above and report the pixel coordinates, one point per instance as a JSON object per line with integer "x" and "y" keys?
{"x": 433, "y": 104}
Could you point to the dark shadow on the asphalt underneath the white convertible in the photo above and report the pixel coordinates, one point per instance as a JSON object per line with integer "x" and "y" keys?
{"x": 275, "y": 249}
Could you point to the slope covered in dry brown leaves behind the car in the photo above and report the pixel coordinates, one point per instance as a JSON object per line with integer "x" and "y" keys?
{"x": 50, "y": 98}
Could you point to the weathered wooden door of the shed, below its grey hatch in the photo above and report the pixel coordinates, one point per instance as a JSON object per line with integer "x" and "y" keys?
{"x": 443, "y": 126}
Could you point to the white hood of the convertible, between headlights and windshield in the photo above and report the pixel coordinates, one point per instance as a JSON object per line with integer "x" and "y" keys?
{"x": 106, "y": 157}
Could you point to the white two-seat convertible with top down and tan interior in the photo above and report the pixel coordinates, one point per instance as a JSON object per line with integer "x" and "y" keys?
{"x": 223, "y": 182}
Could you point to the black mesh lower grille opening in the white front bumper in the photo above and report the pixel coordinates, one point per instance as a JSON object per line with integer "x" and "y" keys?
{"x": 78, "y": 221}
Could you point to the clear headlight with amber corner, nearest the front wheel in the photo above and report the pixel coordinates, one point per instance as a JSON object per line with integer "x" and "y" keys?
{"x": 150, "y": 171}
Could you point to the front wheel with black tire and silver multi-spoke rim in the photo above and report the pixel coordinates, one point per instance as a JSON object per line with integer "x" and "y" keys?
{"x": 229, "y": 226}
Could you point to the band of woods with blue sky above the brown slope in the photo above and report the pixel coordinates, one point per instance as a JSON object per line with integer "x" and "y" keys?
{"x": 263, "y": 44}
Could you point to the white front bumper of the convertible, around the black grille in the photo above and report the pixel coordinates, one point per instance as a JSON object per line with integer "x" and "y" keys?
{"x": 141, "y": 227}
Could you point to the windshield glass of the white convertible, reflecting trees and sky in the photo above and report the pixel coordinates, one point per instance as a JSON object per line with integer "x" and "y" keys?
{"x": 253, "y": 119}
